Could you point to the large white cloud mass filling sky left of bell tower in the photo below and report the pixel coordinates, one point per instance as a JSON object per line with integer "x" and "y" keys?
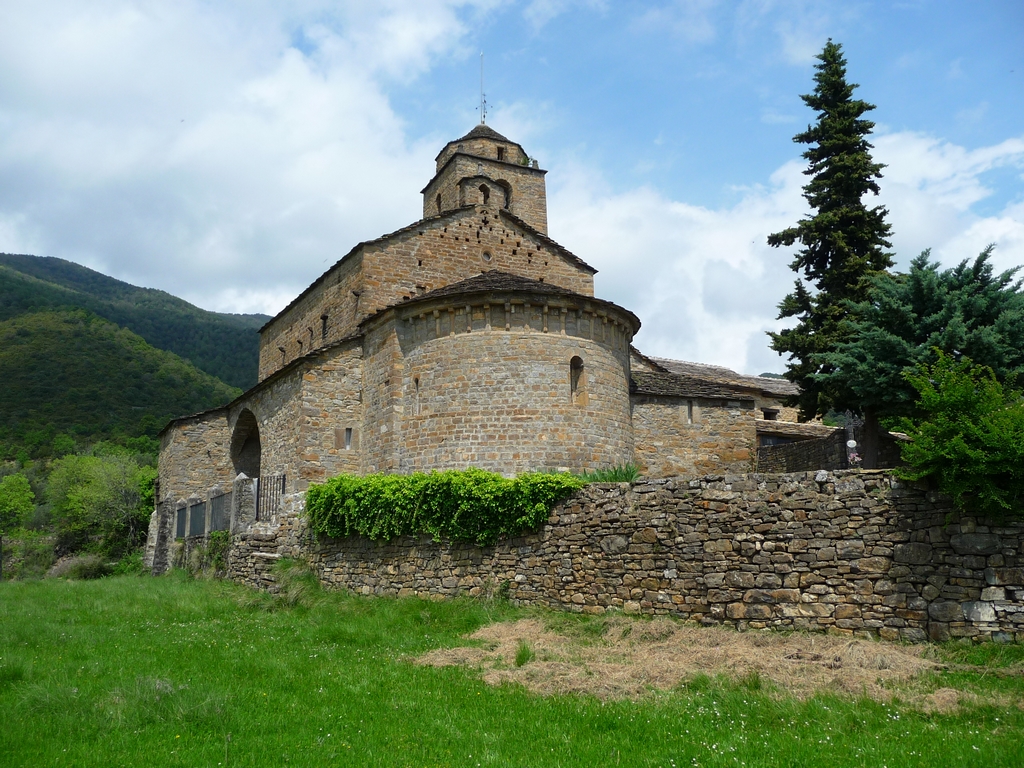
{"x": 227, "y": 154}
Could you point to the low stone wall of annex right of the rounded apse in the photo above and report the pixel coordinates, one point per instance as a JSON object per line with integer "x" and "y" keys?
{"x": 679, "y": 437}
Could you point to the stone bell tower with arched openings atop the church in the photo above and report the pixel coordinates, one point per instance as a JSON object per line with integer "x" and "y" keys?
{"x": 485, "y": 168}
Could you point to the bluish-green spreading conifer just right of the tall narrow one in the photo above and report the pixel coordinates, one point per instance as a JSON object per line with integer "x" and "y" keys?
{"x": 910, "y": 320}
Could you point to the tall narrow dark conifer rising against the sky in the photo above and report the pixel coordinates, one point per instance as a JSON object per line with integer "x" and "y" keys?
{"x": 842, "y": 243}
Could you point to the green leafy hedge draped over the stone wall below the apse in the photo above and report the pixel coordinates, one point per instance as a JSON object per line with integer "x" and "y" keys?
{"x": 467, "y": 505}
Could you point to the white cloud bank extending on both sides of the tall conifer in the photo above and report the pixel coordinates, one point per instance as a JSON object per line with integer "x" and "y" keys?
{"x": 705, "y": 283}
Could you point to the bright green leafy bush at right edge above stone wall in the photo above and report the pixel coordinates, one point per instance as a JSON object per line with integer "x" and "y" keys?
{"x": 971, "y": 438}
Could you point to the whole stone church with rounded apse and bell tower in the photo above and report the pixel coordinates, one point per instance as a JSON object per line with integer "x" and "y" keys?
{"x": 468, "y": 338}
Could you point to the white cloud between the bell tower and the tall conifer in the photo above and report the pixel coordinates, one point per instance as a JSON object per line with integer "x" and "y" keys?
{"x": 704, "y": 283}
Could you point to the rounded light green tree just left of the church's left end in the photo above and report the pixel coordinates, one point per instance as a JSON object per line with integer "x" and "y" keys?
{"x": 101, "y": 502}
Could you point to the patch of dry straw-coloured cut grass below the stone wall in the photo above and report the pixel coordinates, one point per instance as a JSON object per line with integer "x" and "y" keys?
{"x": 622, "y": 658}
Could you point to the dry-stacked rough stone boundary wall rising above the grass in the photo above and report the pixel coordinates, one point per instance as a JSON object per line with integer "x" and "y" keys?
{"x": 851, "y": 552}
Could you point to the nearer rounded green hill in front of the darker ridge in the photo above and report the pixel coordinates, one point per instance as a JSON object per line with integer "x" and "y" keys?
{"x": 70, "y": 371}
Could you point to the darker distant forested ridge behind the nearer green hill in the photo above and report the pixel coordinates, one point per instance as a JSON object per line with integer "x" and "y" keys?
{"x": 225, "y": 346}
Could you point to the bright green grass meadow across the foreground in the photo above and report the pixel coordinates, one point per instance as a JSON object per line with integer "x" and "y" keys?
{"x": 167, "y": 672}
